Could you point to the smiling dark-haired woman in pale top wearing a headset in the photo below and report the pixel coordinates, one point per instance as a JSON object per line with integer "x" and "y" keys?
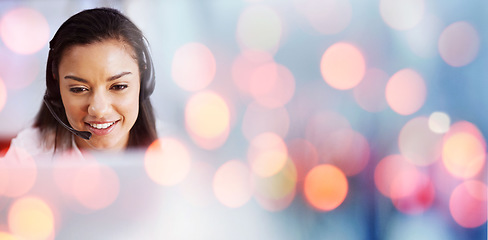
{"x": 99, "y": 77}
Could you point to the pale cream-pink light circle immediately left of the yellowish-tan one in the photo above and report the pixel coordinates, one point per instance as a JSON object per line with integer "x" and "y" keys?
{"x": 232, "y": 184}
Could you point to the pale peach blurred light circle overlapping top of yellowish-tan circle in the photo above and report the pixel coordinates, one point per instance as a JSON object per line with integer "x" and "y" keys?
{"x": 267, "y": 154}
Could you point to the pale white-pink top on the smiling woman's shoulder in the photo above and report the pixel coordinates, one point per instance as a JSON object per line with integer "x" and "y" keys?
{"x": 29, "y": 144}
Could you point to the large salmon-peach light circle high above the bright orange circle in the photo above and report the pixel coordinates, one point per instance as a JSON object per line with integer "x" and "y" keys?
{"x": 342, "y": 66}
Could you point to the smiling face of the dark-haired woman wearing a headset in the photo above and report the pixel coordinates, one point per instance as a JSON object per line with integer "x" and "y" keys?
{"x": 99, "y": 85}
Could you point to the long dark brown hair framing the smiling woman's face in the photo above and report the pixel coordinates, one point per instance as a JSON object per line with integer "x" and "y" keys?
{"x": 83, "y": 28}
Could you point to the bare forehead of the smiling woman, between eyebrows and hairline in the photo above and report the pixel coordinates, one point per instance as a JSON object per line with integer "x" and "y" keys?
{"x": 101, "y": 55}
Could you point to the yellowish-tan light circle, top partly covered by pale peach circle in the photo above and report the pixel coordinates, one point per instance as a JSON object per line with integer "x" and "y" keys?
{"x": 276, "y": 192}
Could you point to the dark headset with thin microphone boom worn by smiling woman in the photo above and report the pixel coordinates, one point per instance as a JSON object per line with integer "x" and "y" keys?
{"x": 148, "y": 83}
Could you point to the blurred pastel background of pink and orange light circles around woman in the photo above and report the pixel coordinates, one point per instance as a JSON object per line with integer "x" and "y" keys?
{"x": 327, "y": 119}
